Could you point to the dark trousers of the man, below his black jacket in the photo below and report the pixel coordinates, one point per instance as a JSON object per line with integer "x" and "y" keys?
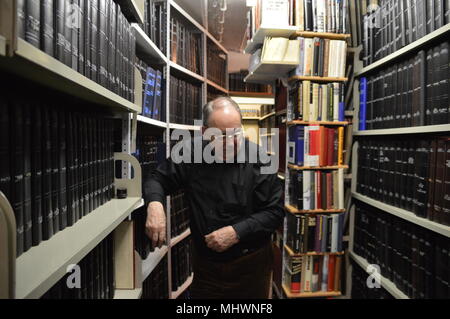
{"x": 247, "y": 277}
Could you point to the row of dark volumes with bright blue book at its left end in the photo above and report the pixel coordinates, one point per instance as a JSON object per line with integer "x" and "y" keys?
{"x": 414, "y": 92}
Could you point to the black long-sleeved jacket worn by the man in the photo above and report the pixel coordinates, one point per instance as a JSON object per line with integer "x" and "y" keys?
{"x": 222, "y": 194}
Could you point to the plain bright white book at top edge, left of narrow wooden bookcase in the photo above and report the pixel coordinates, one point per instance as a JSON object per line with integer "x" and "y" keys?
{"x": 275, "y": 13}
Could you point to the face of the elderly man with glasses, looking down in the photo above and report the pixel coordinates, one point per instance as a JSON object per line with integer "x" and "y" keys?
{"x": 227, "y": 120}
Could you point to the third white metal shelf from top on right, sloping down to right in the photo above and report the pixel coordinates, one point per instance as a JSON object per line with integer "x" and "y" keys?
{"x": 406, "y": 215}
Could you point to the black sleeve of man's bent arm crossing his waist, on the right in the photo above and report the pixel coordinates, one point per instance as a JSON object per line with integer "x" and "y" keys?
{"x": 268, "y": 210}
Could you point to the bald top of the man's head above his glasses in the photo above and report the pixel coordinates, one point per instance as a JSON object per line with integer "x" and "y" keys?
{"x": 222, "y": 113}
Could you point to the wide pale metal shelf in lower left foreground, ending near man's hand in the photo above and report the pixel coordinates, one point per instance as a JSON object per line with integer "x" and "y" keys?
{"x": 38, "y": 269}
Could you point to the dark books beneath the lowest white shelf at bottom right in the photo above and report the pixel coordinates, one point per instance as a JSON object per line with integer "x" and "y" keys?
{"x": 360, "y": 290}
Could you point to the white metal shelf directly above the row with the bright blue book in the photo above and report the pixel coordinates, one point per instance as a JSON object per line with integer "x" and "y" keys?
{"x": 406, "y": 49}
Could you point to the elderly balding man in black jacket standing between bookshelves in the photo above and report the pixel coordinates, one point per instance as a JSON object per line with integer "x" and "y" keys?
{"x": 234, "y": 210}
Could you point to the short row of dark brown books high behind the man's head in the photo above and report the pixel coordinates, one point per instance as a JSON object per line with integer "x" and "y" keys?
{"x": 217, "y": 64}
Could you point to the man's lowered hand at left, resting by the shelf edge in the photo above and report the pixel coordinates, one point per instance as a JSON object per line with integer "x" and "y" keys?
{"x": 155, "y": 226}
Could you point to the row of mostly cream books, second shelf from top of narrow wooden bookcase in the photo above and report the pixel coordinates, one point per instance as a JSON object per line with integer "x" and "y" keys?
{"x": 321, "y": 57}
